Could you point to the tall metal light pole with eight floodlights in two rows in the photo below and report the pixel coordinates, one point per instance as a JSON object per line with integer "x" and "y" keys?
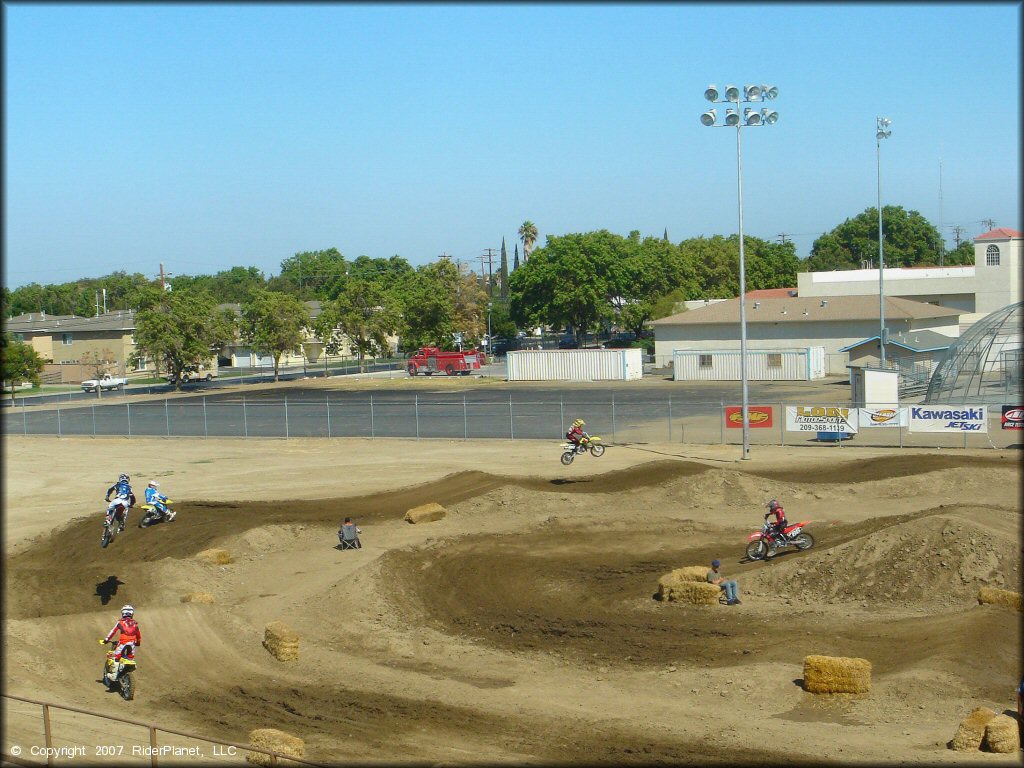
{"x": 752, "y": 117}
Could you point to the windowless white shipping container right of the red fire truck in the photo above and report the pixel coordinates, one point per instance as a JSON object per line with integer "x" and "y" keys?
{"x": 576, "y": 365}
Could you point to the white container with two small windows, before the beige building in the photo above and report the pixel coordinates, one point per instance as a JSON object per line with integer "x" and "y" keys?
{"x": 762, "y": 365}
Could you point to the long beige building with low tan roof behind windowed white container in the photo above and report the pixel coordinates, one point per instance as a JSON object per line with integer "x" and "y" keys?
{"x": 833, "y": 323}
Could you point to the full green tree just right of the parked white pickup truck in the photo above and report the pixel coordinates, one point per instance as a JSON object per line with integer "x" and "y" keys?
{"x": 185, "y": 333}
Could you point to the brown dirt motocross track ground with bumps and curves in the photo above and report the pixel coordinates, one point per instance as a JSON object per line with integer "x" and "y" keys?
{"x": 523, "y": 627}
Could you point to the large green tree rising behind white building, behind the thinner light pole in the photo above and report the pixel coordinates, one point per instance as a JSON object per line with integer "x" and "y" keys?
{"x": 910, "y": 241}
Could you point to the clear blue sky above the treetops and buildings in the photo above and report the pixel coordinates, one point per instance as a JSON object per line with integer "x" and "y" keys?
{"x": 206, "y": 137}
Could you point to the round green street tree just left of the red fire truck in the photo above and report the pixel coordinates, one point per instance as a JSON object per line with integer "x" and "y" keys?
{"x": 366, "y": 314}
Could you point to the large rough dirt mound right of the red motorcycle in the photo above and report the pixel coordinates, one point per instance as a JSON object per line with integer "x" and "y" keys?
{"x": 936, "y": 559}
